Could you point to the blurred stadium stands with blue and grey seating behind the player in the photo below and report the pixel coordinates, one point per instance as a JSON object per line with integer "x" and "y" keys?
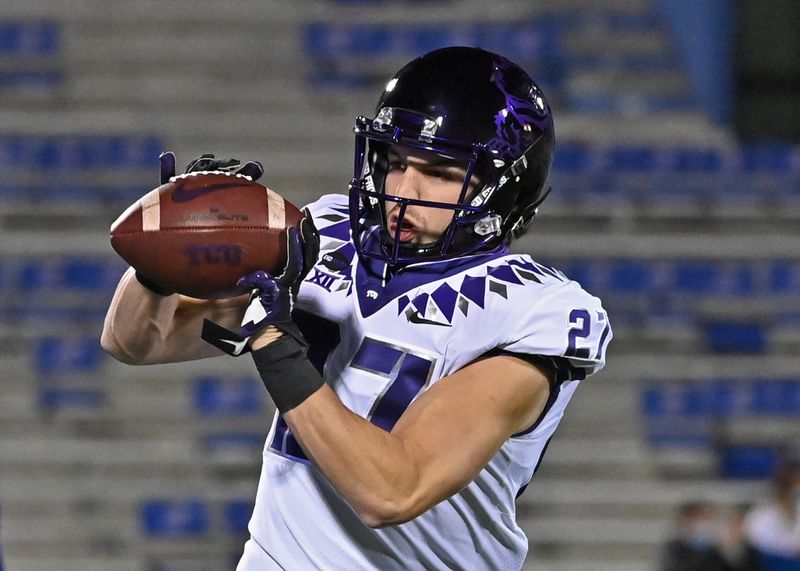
{"x": 676, "y": 199}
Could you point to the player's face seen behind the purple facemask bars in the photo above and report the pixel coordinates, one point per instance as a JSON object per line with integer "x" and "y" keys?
{"x": 422, "y": 176}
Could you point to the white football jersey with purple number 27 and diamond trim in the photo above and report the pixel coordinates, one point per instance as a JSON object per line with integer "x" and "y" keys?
{"x": 380, "y": 344}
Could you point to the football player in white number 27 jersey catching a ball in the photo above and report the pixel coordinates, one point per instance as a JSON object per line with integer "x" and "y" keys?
{"x": 419, "y": 369}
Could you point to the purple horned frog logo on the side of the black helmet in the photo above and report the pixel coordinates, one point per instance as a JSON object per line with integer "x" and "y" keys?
{"x": 512, "y": 139}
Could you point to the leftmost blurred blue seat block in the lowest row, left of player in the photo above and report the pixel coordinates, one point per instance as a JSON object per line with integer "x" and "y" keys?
{"x": 175, "y": 518}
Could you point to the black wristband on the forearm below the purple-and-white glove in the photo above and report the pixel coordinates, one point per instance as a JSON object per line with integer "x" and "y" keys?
{"x": 289, "y": 376}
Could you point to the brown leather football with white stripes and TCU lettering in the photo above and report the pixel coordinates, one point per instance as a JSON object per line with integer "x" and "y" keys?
{"x": 200, "y": 232}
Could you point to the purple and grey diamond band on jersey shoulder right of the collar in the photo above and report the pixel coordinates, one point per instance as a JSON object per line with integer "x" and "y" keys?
{"x": 439, "y": 306}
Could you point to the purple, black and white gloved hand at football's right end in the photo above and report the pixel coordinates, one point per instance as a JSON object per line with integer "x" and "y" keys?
{"x": 272, "y": 298}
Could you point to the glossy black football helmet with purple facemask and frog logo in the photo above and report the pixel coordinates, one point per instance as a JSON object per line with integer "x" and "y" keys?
{"x": 466, "y": 104}
